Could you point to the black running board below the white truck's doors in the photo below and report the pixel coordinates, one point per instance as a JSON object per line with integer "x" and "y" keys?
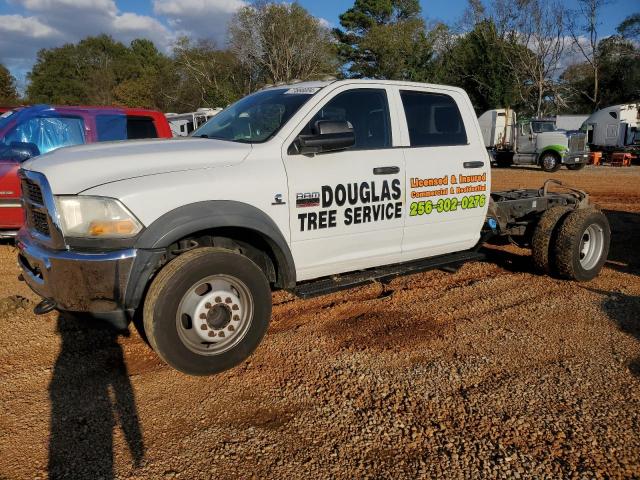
{"x": 315, "y": 288}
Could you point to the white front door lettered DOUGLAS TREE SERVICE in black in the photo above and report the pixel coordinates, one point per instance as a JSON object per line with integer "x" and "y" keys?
{"x": 346, "y": 207}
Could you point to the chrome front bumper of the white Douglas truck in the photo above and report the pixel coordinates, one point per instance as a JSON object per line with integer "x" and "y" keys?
{"x": 94, "y": 283}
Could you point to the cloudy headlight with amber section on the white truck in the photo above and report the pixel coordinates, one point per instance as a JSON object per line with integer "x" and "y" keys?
{"x": 96, "y": 217}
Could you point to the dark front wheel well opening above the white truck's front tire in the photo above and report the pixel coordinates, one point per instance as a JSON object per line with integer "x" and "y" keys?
{"x": 254, "y": 245}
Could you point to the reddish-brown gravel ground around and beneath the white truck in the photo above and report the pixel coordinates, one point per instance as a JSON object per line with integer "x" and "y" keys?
{"x": 493, "y": 371}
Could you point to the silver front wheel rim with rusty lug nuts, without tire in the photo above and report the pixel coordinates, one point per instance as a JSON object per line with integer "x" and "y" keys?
{"x": 214, "y": 314}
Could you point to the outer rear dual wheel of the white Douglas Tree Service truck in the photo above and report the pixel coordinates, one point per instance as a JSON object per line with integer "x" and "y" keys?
{"x": 582, "y": 244}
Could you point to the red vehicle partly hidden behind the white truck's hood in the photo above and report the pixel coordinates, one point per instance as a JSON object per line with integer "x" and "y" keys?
{"x": 30, "y": 131}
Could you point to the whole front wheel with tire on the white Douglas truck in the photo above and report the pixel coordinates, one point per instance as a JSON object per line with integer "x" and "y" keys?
{"x": 207, "y": 310}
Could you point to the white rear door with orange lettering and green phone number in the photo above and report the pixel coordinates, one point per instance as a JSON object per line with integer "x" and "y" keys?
{"x": 447, "y": 172}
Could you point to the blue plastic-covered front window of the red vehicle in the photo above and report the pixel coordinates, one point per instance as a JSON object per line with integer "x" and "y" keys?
{"x": 48, "y": 133}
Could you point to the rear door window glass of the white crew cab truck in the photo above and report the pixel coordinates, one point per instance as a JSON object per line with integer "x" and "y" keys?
{"x": 433, "y": 119}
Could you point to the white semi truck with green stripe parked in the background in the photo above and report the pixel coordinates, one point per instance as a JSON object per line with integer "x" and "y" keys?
{"x": 531, "y": 141}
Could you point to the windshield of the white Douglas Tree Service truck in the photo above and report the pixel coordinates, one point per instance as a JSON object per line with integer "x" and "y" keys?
{"x": 256, "y": 118}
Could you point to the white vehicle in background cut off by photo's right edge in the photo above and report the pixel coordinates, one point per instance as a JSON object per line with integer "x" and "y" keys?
{"x": 614, "y": 128}
